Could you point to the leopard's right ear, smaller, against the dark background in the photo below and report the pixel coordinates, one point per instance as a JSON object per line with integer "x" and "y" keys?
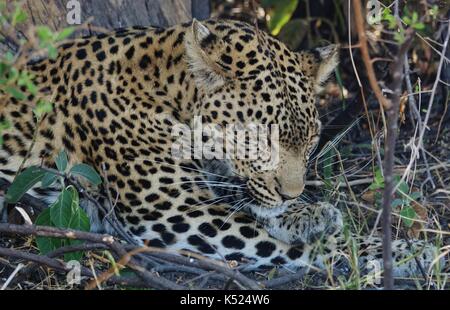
{"x": 320, "y": 63}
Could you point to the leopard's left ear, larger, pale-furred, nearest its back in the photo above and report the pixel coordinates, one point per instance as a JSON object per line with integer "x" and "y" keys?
{"x": 203, "y": 50}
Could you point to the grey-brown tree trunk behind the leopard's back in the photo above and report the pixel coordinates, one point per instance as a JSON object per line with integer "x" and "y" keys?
{"x": 111, "y": 14}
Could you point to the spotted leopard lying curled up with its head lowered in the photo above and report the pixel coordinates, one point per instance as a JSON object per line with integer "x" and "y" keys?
{"x": 117, "y": 98}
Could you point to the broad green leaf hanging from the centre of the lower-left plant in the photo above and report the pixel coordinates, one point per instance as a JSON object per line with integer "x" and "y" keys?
{"x": 64, "y": 208}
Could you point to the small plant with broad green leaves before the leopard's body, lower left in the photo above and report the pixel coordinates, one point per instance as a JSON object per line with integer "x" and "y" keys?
{"x": 65, "y": 212}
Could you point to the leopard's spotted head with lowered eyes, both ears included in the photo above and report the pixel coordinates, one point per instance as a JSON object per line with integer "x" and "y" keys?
{"x": 247, "y": 79}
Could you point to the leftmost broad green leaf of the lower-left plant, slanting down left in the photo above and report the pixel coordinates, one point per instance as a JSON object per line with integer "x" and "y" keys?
{"x": 24, "y": 182}
